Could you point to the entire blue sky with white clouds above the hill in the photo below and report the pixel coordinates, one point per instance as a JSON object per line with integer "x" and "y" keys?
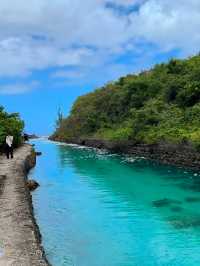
{"x": 52, "y": 51}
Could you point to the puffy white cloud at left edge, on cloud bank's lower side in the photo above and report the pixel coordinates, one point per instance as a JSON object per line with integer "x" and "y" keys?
{"x": 20, "y": 56}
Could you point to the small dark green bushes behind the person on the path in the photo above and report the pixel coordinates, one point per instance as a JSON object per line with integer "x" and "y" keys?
{"x": 10, "y": 124}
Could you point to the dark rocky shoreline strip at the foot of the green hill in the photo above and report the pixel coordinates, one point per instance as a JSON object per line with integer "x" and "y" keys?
{"x": 182, "y": 155}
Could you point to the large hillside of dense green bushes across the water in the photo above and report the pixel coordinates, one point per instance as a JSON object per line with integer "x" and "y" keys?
{"x": 162, "y": 104}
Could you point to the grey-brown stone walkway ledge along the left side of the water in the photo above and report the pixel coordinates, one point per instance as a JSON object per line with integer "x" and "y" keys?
{"x": 20, "y": 239}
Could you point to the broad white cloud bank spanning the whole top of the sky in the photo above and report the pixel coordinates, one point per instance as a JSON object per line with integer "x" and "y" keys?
{"x": 36, "y": 35}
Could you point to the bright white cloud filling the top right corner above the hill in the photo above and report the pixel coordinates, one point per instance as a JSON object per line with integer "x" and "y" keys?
{"x": 169, "y": 24}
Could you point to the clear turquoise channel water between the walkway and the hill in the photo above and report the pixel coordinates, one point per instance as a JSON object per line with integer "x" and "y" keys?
{"x": 99, "y": 209}
